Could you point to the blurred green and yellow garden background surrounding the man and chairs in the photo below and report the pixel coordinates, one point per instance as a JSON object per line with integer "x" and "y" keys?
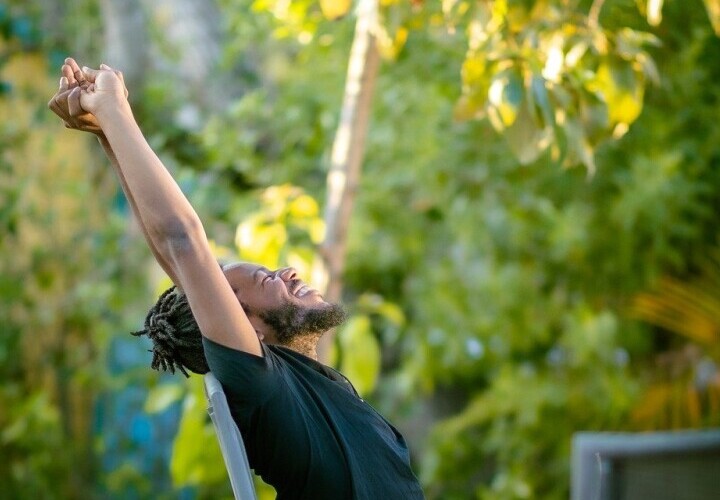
{"x": 533, "y": 248}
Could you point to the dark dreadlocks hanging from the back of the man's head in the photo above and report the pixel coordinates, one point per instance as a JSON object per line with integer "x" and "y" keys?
{"x": 176, "y": 338}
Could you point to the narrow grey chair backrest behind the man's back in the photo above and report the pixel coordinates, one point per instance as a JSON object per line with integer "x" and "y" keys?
{"x": 231, "y": 443}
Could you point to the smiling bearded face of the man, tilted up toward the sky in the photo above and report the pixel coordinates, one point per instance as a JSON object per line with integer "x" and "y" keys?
{"x": 279, "y": 305}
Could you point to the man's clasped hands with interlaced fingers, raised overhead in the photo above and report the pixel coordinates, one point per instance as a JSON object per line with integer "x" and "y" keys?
{"x": 82, "y": 92}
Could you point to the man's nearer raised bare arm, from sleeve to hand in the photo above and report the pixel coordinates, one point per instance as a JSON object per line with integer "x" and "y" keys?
{"x": 171, "y": 225}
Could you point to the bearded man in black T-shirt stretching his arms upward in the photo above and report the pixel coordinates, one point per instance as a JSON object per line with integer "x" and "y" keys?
{"x": 306, "y": 430}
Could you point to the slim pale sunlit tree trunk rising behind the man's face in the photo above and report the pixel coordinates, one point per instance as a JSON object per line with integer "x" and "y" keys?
{"x": 347, "y": 154}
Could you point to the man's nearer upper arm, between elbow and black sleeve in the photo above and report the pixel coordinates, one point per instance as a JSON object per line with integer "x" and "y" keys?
{"x": 212, "y": 301}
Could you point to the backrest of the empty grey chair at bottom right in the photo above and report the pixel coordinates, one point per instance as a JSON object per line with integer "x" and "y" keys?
{"x": 680, "y": 465}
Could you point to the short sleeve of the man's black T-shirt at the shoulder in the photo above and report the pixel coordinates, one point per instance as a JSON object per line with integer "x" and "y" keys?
{"x": 248, "y": 378}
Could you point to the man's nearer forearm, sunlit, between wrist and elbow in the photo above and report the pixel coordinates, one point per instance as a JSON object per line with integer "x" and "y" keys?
{"x": 158, "y": 201}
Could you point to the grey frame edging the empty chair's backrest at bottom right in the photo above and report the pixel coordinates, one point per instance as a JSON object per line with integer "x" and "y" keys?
{"x": 593, "y": 454}
